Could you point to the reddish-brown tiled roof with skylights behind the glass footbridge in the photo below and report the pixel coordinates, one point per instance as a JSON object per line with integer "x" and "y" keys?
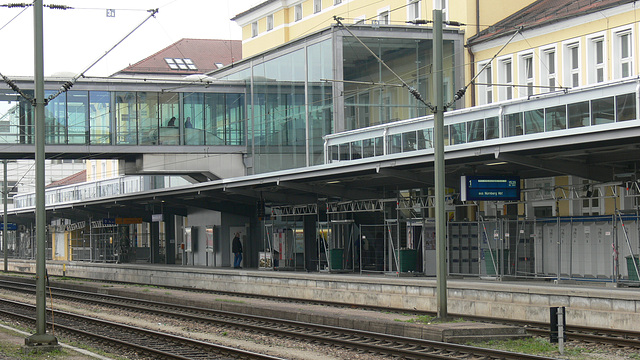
{"x": 204, "y": 53}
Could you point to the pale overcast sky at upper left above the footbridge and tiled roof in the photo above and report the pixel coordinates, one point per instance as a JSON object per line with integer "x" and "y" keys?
{"x": 75, "y": 38}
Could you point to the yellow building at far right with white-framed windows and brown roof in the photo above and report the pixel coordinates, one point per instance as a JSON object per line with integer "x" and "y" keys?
{"x": 548, "y": 47}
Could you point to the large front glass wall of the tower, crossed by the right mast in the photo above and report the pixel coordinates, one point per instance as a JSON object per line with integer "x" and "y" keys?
{"x": 367, "y": 105}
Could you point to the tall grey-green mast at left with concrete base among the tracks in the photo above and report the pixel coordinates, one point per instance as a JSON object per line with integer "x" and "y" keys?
{"x": 40, "y": 340}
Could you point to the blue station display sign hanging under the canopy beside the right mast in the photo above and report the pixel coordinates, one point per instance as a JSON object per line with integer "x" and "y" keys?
{"x": 490, "y": 188}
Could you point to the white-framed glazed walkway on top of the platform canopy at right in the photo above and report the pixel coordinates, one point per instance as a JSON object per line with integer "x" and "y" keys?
{"x": 607, "y": 106}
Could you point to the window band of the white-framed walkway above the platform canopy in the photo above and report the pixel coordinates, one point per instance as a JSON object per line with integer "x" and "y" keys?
{"x": 593, "y": 112}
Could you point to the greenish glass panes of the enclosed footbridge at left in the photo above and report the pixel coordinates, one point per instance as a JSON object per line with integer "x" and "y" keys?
{"x": 129, "y": 118}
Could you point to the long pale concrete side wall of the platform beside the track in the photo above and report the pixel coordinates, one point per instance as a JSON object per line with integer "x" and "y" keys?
{"x": 593, "y": 304}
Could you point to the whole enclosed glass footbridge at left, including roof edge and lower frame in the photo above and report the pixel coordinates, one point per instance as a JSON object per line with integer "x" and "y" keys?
{"x": 141, "y": 112}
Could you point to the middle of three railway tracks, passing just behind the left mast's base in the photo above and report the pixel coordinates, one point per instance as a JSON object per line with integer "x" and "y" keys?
{"x": 364, "y": 341}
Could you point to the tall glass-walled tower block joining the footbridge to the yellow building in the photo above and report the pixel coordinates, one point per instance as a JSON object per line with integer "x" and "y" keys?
{"x": 329, "y": 82}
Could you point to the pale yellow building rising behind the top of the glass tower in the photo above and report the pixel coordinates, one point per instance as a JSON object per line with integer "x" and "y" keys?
{"x": 276, "y": 22}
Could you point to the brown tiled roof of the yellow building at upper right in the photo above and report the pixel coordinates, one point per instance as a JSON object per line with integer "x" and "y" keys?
{"x": 543, "y": 12}
